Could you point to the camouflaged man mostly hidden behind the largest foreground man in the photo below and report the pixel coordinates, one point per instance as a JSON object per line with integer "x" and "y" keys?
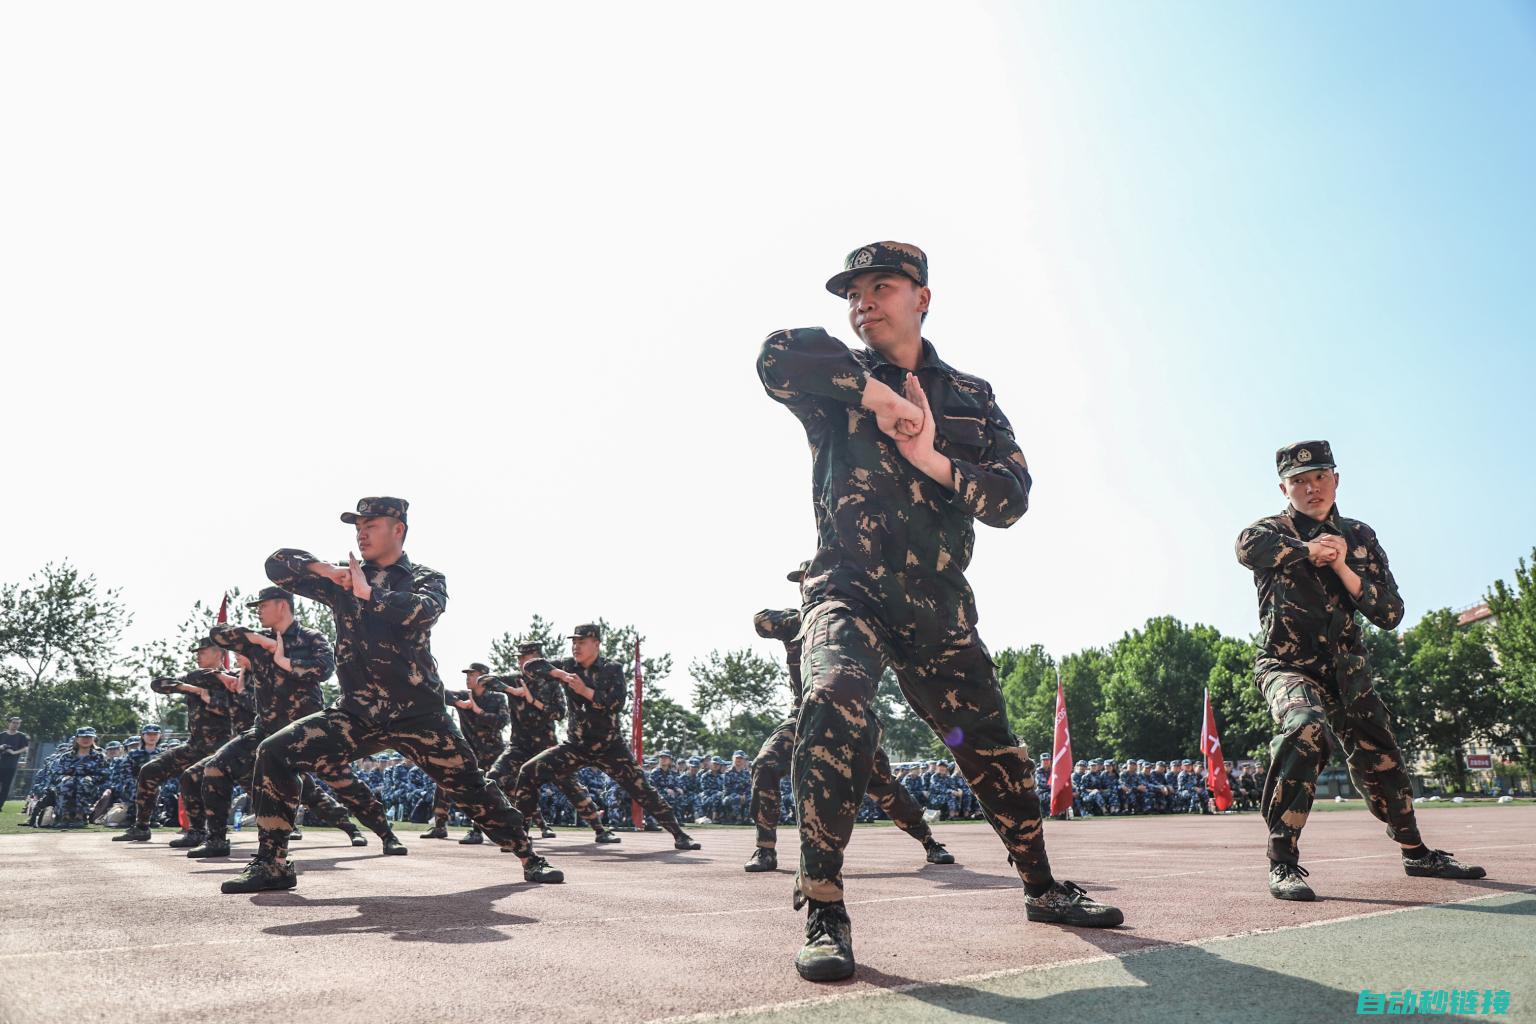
{"x": 773, "y": 761}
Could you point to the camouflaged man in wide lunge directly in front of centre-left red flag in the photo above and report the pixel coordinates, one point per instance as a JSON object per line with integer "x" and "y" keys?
{"x": 597, "y": 701}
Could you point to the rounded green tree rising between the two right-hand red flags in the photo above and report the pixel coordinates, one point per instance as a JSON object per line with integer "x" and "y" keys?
{"x": 1154, "y": 695}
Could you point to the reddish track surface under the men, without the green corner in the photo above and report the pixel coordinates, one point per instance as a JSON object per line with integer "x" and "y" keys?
{"x": 641, "y": 931}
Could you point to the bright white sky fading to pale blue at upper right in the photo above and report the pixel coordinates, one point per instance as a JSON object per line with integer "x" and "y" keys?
{"x": 515, "y": 265}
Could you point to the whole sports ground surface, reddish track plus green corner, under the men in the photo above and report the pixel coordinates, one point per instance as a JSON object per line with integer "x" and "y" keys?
{"x": 90, "y": 928}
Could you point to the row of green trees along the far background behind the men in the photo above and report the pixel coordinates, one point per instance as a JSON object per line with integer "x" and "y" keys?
{"x": 64, "y": 666}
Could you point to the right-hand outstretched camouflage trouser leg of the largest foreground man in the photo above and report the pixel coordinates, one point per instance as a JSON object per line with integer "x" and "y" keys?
{"x": 955, "y": 690}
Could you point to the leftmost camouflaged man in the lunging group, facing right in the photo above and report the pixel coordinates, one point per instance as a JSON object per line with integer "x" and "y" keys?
{"x": 208, "y": 728}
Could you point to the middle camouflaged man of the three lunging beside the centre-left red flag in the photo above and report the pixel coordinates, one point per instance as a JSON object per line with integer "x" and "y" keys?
{"x": 537, "y": 704}
